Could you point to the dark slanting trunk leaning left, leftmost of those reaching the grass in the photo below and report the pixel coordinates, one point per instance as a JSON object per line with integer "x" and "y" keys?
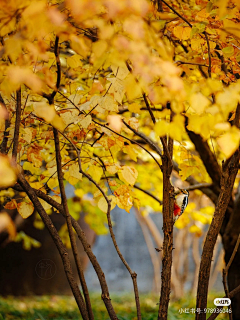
{"x": 58, "y": 242}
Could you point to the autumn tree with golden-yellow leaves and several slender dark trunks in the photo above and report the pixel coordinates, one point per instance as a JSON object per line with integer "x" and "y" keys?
{"x": 114, "y": 98}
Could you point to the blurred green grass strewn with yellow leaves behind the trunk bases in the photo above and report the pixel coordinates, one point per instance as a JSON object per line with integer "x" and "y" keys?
{"x": 64, "y": 307}
